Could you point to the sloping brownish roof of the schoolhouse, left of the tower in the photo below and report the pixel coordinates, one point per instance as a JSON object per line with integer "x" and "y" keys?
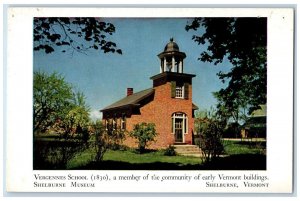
{"x": 132, "y": 100}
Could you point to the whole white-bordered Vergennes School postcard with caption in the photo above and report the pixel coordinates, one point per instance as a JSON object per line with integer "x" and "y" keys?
{"x": 166, "y": 100}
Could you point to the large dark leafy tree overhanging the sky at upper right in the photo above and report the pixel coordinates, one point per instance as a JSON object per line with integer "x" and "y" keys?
{"x": 243, "y": 41}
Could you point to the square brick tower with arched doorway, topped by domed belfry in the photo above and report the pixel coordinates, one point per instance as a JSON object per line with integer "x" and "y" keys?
{"x": 173, "y": 96}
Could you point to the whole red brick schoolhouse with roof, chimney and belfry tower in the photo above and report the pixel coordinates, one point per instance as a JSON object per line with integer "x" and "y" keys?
{"x": 168, "y": 104}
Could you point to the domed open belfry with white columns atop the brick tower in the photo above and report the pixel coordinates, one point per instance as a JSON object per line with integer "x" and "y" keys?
{"x": 171, "y": 59}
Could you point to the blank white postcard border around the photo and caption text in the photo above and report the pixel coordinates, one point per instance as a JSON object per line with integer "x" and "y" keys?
{"x": 19, "y": 174}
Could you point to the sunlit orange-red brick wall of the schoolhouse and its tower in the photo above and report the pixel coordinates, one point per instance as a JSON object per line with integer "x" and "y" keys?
{"x": 160, "y": 111}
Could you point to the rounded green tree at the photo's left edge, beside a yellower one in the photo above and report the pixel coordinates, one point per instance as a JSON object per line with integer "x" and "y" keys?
{"x": 52, "y": 100}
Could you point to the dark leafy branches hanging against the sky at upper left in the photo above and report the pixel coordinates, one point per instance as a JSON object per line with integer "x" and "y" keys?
{"x": 78, "y": 34}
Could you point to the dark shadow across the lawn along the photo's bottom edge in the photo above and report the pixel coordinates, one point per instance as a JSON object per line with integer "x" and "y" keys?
{"x": 233, "y": 162}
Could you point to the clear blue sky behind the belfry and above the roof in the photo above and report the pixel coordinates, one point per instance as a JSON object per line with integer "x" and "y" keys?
{"x": 104, "y": 78}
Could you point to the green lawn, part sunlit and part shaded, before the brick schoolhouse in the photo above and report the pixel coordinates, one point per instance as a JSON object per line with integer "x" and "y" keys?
{"x": 238, "y": 155}
